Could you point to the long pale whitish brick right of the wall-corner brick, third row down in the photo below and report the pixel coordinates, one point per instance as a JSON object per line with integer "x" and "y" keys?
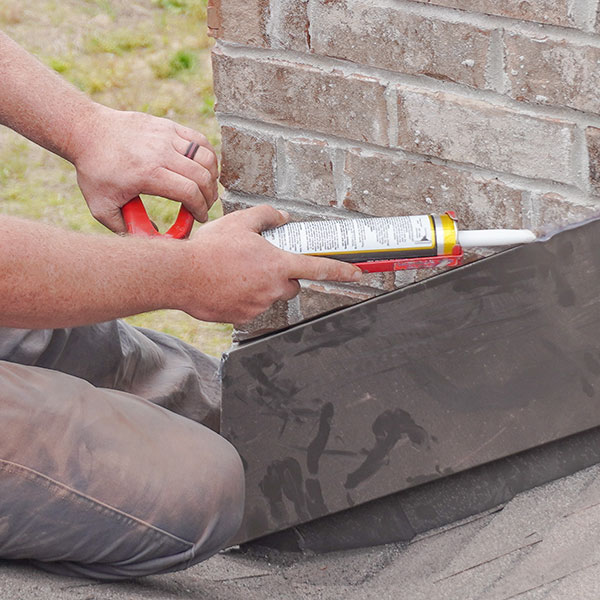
{"x": 471, "y": 131}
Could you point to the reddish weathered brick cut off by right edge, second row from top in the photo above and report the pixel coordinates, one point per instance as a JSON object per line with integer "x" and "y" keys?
{"x": 553, "y": 72}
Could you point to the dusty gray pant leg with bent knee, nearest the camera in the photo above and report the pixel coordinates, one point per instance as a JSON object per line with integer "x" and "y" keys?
{"x": 105, "y": 484}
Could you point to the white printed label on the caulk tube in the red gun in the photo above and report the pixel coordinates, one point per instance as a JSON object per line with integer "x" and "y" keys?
{"x": 356, "y": 240}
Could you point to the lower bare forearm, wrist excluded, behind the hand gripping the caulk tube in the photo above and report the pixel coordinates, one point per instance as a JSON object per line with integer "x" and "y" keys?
{"x": 54, "y": 278}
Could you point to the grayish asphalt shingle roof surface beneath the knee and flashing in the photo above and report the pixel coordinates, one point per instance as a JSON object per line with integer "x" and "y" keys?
{"x": 543, "y": 544}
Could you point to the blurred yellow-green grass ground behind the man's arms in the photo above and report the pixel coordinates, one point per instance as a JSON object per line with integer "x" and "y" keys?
{"x": 145, "y": 55}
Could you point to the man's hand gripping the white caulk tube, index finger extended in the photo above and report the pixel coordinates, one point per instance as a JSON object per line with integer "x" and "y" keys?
{"x": 235, "y": 274}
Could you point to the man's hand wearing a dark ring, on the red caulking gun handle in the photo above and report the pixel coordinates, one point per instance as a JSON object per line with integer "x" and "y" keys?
{"x": 129, "y": 153}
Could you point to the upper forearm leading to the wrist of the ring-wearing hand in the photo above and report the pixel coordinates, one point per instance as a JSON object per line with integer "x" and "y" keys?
{"x": 39, "y": 104}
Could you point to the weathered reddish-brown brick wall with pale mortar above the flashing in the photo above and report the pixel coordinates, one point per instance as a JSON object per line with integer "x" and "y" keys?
{"x": 340, "y": 108}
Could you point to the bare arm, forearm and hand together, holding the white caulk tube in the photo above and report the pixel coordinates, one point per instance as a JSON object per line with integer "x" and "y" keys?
{"x": 226, "y": 272}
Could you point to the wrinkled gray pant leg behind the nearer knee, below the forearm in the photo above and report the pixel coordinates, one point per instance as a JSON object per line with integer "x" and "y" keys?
{"x": 117, "y": 356}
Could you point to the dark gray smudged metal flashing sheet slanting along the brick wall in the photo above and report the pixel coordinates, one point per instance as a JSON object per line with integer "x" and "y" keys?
{"x": 469, "y": 366}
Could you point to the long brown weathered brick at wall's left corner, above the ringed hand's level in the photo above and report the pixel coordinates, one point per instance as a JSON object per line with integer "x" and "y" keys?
{"x": 297, "y": 95}
